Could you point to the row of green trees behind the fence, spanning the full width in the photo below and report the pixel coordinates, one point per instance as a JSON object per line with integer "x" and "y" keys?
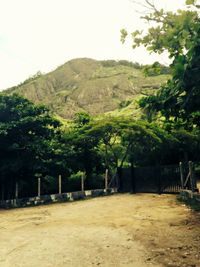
{"x": 34, "y": 144}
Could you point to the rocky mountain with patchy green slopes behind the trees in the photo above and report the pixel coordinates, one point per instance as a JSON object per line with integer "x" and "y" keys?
{"x": 88, "y": 85}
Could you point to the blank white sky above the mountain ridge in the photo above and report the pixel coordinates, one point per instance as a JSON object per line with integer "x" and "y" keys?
{"x": 40, "y": 35}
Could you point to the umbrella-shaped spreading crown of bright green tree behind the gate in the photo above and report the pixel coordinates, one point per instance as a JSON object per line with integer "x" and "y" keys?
{"x": 119, "y": 138}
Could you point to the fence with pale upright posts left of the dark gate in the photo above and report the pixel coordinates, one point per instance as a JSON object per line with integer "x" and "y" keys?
{"x": 40, "y": 186}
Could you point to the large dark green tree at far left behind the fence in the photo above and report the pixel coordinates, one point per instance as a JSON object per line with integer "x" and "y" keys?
{"x": 26, "y": 135}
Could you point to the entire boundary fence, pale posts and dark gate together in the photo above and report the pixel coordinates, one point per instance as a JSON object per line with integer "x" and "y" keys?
{"x": 154, "y": 179}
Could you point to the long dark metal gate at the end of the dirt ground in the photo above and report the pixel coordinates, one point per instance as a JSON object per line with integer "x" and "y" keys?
{"x": 158, "y": 179}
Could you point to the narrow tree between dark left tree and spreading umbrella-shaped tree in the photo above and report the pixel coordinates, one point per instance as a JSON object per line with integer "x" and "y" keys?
{"x": 83, "y": 154}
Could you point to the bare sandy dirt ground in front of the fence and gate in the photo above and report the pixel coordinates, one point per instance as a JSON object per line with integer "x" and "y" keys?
{"x": 121, "y": 230}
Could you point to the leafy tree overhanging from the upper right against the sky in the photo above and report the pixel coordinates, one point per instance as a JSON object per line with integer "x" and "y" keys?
{"x": 178, "y": 33}
